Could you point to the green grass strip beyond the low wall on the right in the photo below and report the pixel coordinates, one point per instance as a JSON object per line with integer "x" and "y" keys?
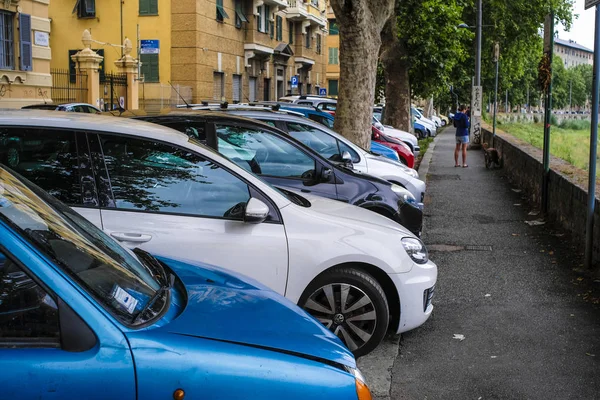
{"x": 569, "y": 141}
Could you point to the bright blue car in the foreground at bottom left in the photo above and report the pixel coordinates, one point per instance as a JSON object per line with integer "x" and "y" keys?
{"x": 81, "y": 317}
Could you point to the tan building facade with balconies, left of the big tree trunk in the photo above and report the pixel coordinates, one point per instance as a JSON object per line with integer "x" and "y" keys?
{"x": 248, "y": 50}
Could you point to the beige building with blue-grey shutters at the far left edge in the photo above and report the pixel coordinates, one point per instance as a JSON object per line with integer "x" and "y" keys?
{"x": 24, "y": 52}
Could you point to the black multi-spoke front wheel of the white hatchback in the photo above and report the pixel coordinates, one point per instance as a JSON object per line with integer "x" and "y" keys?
{"x": 351, "y": 304}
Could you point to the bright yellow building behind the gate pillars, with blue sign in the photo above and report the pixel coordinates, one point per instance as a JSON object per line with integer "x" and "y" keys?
{"x": 110, "y": 22}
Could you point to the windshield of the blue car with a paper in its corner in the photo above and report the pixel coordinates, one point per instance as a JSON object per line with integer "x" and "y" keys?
{"x": 109, "y": 273}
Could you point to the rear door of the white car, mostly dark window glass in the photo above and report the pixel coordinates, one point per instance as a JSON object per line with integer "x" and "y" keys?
{"x": 57, "y": 160}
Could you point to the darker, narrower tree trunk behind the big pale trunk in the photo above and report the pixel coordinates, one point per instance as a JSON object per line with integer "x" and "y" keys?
{"x": 397, "y": 80}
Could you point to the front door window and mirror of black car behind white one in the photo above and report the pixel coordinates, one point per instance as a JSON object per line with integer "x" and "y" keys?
{"x": 277, "y": 160}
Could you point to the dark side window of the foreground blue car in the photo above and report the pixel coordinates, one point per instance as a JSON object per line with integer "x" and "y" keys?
{"x": 28, "y": 315}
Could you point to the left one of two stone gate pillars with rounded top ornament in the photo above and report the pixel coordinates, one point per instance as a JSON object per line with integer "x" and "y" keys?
{"x": 88, "y": 63}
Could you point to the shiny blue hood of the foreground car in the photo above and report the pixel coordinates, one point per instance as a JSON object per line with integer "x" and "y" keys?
{"x": 224, "y": 306}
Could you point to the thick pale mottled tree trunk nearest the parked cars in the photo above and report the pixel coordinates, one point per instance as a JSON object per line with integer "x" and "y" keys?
{"x": 360, "y": 22}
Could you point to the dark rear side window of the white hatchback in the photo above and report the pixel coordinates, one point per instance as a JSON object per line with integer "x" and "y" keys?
{"x": 48, "y": 158}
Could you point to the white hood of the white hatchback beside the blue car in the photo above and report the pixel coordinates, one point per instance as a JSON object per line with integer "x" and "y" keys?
{"x": 345, "y": 213}
